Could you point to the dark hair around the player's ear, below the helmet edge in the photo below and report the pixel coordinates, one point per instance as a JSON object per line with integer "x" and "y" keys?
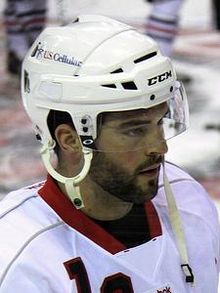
{"x": 54, "y": 119}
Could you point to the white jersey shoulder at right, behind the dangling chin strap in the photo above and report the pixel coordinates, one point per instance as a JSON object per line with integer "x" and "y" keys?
{"x": 191, "y": 197}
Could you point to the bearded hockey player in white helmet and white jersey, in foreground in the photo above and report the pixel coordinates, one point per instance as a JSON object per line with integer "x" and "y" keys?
{"x": 112, "y": 215}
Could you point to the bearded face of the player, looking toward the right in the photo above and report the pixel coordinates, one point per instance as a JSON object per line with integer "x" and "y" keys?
{"x": 132, "y": 148}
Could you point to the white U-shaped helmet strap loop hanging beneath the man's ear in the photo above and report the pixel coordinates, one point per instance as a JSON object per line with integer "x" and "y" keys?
{"x": 71, "y": 183}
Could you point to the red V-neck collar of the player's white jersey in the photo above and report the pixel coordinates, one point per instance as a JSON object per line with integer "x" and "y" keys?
{"x": 79, "y": 221}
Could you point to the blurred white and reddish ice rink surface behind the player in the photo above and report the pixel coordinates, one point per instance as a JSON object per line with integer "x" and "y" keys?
{"x": 196, "y": 56}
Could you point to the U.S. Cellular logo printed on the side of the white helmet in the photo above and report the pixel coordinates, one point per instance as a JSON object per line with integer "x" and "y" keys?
{"x": 40, "y": 53}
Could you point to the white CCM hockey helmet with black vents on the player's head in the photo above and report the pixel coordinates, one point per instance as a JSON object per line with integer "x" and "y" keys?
{"x": 97, "y": 64}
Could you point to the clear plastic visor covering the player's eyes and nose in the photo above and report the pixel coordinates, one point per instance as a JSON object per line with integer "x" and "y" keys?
{"x": 142, "y": 128}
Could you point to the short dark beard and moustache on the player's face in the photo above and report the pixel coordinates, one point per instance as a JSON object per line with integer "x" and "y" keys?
{"x": 118, "y": 182}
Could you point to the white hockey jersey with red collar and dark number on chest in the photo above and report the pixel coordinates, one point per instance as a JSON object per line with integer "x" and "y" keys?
{"x": 49, "y": 246}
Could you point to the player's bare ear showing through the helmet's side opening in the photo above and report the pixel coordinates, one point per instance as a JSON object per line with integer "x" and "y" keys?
{"x": 67, "y": 139}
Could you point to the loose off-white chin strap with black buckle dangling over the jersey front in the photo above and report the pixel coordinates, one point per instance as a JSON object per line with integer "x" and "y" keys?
{"x": 177, "y": 229}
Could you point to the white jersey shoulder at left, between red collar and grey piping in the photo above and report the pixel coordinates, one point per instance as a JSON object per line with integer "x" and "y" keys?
{"x": 23, "y": 216}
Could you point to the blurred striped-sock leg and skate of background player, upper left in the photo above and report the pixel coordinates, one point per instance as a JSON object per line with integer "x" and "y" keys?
{"x": 23, "y": 20}
